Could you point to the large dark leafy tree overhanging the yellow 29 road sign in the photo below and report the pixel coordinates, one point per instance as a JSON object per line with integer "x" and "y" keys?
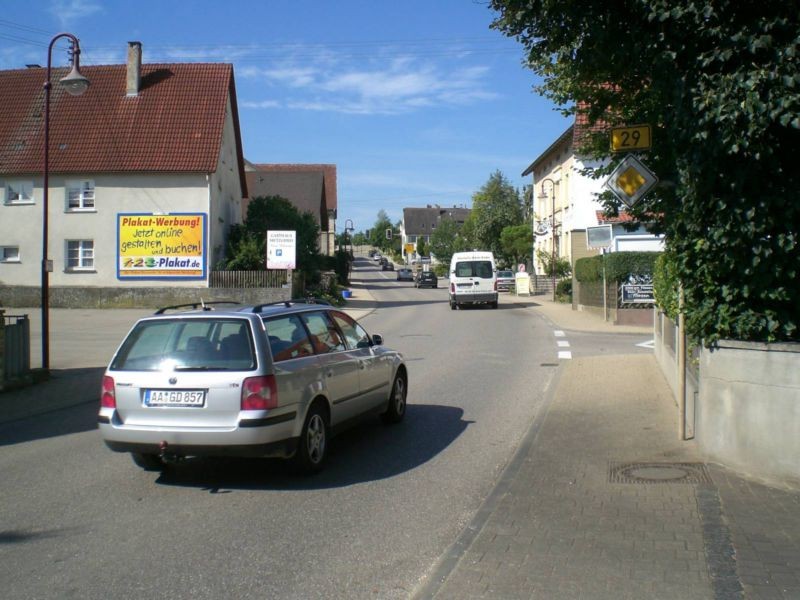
{"x": 719, "y": 84}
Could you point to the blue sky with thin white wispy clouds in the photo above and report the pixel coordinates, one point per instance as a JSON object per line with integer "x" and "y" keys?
{"x": 416, "y": 101}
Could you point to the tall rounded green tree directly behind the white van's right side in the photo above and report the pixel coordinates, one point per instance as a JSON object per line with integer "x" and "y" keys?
{"x": 495, "y": 206}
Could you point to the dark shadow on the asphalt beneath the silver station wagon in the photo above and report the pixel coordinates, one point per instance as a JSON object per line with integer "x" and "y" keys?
{"x": 368, "y": 452}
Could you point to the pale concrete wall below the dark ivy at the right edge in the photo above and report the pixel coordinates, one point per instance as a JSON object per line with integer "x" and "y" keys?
{"x": 748, "y": 413}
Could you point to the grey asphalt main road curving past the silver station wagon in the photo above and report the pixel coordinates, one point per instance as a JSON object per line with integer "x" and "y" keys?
{"x": 77, "y": 520}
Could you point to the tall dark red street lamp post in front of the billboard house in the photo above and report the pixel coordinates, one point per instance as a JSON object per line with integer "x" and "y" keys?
{"x": 75, "y": 84}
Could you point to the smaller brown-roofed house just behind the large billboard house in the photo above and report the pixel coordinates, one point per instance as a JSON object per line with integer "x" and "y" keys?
{"x": 309, "y": 187}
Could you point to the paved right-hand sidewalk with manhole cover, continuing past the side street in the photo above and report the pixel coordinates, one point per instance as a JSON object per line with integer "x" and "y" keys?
{"x": 603, "y": 501}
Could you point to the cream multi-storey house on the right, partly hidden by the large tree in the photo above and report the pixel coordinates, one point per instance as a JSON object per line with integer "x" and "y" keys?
{"x": 565, "y": 201}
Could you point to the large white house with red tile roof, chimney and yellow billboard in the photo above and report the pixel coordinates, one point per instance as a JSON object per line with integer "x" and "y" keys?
{"x": 146, "y": 174}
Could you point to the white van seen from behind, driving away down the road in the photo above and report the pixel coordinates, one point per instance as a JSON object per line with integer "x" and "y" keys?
{"x": 473, "y": 279}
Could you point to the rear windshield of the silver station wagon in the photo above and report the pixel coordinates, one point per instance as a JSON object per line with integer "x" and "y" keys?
{"x": 187, "y": 345}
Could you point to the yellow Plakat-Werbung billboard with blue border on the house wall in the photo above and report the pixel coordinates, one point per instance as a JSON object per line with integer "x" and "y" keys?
{"x": 151, "y": 246}
